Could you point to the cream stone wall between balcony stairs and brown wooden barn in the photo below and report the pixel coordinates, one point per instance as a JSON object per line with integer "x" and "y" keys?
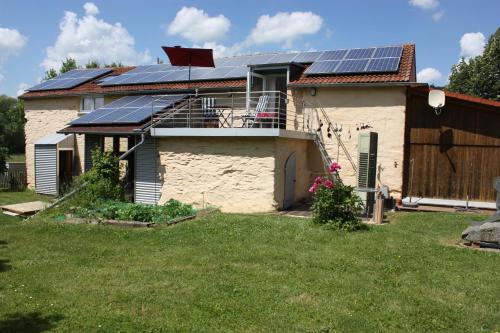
{"x": 383, "y": 108}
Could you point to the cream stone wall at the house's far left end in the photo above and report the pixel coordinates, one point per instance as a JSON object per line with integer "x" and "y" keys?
{"x": 45, "y": 117}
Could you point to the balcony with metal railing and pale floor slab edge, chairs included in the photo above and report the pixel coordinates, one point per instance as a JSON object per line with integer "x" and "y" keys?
{"x": 258, "y": 113}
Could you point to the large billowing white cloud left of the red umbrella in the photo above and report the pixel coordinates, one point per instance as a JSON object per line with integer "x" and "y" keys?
{"x": 89, "y": 38}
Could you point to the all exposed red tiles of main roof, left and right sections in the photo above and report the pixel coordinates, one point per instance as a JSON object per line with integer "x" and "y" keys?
{"x": 405, "y": 74}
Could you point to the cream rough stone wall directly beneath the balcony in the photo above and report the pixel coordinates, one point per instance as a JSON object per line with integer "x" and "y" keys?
{"x": 236, "y": 174}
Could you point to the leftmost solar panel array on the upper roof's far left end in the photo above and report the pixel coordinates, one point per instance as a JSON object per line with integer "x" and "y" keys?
{"x": 70, "y": 79}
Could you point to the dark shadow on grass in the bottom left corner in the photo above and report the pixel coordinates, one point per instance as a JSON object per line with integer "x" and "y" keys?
{"x": 29, "y": 322}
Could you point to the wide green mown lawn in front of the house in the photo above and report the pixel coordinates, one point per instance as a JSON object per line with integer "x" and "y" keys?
{"x": 246, "y": 273}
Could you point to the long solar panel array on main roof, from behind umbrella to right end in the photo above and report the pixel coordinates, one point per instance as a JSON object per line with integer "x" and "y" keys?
{"x": 374, "y": 59}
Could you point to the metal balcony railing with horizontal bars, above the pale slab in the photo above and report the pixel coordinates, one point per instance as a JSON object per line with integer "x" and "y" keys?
{"x": 259, "y": 109}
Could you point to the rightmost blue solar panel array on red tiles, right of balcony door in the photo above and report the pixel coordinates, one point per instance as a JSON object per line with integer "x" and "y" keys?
{"x": 369, "y": 60}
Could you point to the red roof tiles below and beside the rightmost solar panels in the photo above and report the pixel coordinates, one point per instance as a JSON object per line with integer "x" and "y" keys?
{"x": 406, "y": 73}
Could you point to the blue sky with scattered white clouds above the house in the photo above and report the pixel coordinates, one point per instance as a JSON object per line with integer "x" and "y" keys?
{"x": 36, "y": 35}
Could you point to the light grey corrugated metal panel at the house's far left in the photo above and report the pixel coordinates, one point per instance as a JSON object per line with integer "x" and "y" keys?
{"x": 46, "y": 169}
